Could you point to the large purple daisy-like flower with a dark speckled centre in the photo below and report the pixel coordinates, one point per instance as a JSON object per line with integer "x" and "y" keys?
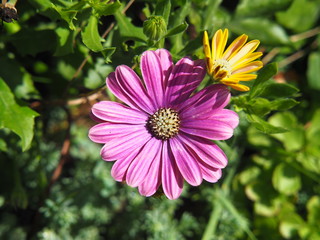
{"x": 161, "y": 137}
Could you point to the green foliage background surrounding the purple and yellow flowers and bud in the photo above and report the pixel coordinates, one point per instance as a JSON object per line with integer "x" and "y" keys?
{"x": 53, "y": 65}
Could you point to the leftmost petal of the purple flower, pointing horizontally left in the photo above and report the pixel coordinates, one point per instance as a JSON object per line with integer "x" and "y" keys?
{"x": 104, "y": 132}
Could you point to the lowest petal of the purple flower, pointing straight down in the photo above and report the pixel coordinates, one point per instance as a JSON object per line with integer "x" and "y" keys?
{"x": 172, "y": 181}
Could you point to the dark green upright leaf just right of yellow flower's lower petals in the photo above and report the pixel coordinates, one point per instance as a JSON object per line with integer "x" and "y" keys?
{"x": 264, "y": 75}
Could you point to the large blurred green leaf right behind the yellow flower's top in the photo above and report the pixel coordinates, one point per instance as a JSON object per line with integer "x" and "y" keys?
{"x": 267, "y": 31}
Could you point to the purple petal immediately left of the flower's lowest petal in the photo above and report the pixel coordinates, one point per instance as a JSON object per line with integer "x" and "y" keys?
{"x": 153, "y": 179}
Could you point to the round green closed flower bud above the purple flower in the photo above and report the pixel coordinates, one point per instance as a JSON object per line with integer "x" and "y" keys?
{"x": 155, "y": 28}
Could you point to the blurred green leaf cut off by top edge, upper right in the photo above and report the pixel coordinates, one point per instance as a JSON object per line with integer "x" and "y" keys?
{"x": 254, "y": 8}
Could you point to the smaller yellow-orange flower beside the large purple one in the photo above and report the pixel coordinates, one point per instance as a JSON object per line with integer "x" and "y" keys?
{"x": 236, "y": 63}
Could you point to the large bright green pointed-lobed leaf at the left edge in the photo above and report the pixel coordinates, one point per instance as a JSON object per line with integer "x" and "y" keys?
{"x": 19, "y": 119}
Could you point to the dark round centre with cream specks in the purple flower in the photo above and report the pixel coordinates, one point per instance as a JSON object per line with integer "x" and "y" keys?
{"x": 164, "y": 123}
